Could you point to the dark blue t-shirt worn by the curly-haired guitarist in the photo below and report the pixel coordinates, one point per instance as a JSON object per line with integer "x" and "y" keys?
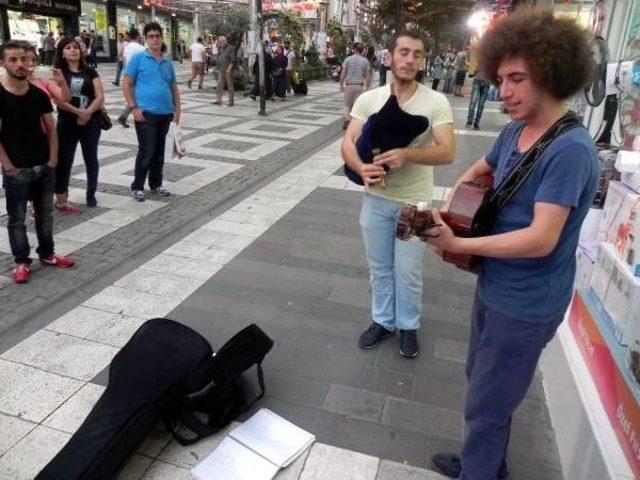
{"x": 539, "y": 289}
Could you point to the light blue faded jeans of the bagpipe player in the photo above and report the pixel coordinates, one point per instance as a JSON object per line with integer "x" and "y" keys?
{"x": 395, "y": 266}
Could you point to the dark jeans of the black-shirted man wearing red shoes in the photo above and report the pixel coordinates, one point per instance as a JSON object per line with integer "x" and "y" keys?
{"x": 36, "y": 186}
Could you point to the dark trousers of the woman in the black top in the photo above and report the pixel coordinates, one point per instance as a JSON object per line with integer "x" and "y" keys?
{"x": 69, "y": 134}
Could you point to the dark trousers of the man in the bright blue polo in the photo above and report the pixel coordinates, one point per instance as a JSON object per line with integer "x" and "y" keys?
{"x": 150, "y": 159}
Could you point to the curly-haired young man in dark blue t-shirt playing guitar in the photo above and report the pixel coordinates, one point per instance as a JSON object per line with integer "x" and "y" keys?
{"x": 529, "y": 258}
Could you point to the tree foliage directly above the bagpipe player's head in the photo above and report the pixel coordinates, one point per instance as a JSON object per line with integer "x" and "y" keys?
{"x": 444, "y": 21}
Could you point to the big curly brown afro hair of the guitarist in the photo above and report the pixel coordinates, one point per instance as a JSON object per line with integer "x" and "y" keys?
{"x": 556, "y": 50}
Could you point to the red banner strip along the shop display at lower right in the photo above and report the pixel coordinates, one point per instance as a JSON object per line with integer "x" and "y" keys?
{"x": 616, "y": 396}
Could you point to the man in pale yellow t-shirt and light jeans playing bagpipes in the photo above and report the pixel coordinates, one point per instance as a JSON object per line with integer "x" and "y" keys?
{"x": 395, "y": 266}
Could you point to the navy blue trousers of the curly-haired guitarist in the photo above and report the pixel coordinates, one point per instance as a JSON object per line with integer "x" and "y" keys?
{"x": 501, "y": 362}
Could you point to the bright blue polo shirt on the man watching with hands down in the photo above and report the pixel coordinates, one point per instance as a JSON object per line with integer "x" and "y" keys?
{"x": 153, "y": 80}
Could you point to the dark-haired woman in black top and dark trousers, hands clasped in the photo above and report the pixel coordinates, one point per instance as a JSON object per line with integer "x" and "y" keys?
{"x": 77, "y": 122}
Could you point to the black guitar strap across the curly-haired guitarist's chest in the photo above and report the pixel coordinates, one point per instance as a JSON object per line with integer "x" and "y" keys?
{"x": 498, "y": 198}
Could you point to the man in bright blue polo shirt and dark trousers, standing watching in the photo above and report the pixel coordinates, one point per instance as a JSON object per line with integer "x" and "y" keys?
{"x": 151, "y": 92}
